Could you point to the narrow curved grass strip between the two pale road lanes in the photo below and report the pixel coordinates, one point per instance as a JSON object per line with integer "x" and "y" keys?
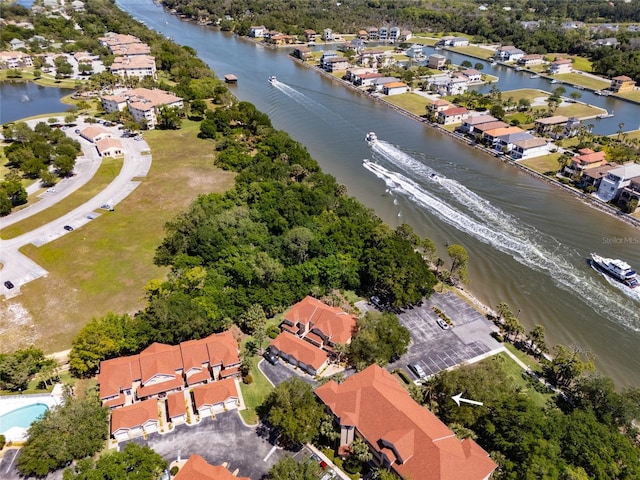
{"x": 108, "y": 170}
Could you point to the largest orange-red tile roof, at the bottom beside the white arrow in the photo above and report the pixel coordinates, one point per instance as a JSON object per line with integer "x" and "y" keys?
{"x": 417, "y": 443}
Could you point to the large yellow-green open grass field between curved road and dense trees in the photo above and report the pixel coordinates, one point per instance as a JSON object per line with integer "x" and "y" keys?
{"x": 104, "y": 265}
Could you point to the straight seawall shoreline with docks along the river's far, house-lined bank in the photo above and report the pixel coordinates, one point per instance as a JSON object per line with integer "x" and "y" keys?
{"x": 584, "y": 197}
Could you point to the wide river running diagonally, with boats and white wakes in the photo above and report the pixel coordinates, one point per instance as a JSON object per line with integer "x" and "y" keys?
{"x": 527, "y": 240}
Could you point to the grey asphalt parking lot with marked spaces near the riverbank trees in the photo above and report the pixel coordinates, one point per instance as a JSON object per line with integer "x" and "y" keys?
{"x": 436, "y": 349}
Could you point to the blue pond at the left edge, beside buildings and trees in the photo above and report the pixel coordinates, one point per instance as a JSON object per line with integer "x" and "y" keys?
{"x": 26, "y": 99}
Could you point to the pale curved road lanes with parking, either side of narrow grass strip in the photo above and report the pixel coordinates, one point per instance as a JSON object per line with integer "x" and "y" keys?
{"x": 18, "y": 268}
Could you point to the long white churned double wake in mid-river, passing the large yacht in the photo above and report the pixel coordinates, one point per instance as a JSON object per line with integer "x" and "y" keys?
{"x": 453, "y": 203}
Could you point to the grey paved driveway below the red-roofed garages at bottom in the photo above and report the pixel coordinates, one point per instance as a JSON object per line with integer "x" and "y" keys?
{"x": 225, "y": 439}
